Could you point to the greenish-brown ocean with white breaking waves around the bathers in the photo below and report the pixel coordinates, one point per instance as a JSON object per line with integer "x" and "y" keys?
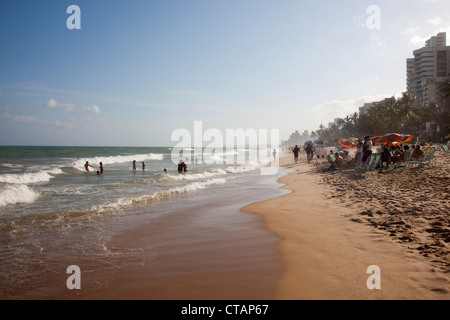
{"x": 53, "y": 213}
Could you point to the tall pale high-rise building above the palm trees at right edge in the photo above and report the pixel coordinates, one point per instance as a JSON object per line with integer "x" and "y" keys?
{"x": 428, "y": 69}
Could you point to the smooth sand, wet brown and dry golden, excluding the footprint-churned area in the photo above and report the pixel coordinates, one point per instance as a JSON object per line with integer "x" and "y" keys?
{"x": 302, "y": 243}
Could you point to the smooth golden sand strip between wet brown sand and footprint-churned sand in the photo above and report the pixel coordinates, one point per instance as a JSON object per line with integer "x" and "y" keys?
{"x": 326, "y": 249}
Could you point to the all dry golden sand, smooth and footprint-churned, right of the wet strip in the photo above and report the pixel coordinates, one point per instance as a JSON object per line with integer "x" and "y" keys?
{"x": 334, "y": 225}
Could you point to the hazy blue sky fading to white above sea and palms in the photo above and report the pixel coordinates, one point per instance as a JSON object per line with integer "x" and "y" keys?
{"x": 135, "y": 71}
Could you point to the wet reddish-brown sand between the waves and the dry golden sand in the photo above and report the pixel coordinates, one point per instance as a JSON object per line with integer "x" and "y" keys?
{"x": 208, "y": 252}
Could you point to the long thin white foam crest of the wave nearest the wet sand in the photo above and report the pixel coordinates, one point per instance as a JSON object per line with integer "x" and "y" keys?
{"x": 126, "y": 202}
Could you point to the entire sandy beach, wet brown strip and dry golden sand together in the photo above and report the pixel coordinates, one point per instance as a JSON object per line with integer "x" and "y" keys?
{"x": 314, "y": 242}
